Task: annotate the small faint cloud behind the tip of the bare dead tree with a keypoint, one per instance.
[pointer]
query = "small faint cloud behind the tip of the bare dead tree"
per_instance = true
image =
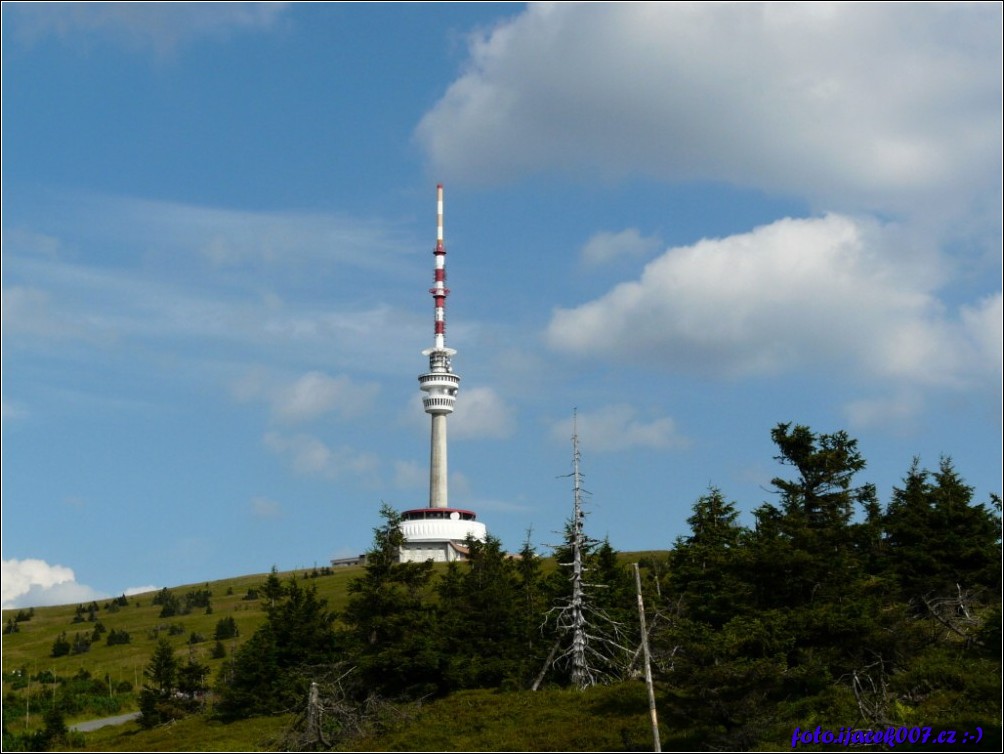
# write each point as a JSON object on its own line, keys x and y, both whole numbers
{"x": 619, "y": 428}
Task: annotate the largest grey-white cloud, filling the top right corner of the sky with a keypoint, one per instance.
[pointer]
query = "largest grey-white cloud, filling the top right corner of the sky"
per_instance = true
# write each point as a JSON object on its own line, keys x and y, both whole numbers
{"x": 853, "y": 105}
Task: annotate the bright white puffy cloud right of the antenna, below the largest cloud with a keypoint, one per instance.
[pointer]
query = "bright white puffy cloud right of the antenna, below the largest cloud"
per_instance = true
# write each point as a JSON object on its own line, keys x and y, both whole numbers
{"x": 826, "y": 294}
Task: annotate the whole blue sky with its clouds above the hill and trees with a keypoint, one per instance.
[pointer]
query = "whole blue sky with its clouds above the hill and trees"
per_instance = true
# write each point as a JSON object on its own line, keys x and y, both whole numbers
{"x": 689, "y": 222}
